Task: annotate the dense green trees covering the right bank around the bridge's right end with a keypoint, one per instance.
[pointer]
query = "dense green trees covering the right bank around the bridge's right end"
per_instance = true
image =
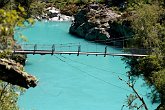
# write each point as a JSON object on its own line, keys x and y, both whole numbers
{"x": 146, "y": 19}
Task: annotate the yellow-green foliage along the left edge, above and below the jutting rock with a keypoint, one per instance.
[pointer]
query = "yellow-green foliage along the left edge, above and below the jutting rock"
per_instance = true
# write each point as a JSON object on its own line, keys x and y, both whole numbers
{"x": 11, "y": 16}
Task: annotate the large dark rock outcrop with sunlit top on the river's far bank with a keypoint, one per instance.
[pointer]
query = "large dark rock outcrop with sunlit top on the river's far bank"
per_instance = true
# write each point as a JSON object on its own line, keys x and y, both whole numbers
{"x": 92, "y": 22}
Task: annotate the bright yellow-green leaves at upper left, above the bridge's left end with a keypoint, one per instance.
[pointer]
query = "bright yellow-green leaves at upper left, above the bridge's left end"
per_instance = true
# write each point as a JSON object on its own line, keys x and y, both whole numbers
{"x": 8, "y": 20}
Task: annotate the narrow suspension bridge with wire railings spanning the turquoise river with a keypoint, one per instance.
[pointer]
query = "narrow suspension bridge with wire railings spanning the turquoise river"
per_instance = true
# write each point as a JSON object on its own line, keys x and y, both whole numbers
{"x": 77, "y": 49}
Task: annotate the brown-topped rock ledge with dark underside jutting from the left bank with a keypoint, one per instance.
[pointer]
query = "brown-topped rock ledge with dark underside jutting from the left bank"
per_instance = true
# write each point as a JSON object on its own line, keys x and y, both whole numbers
{"x": 14, "y": 73}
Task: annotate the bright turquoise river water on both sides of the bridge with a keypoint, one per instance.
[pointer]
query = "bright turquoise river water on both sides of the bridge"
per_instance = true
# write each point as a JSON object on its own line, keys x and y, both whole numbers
{"x": 71, "y": 82}
